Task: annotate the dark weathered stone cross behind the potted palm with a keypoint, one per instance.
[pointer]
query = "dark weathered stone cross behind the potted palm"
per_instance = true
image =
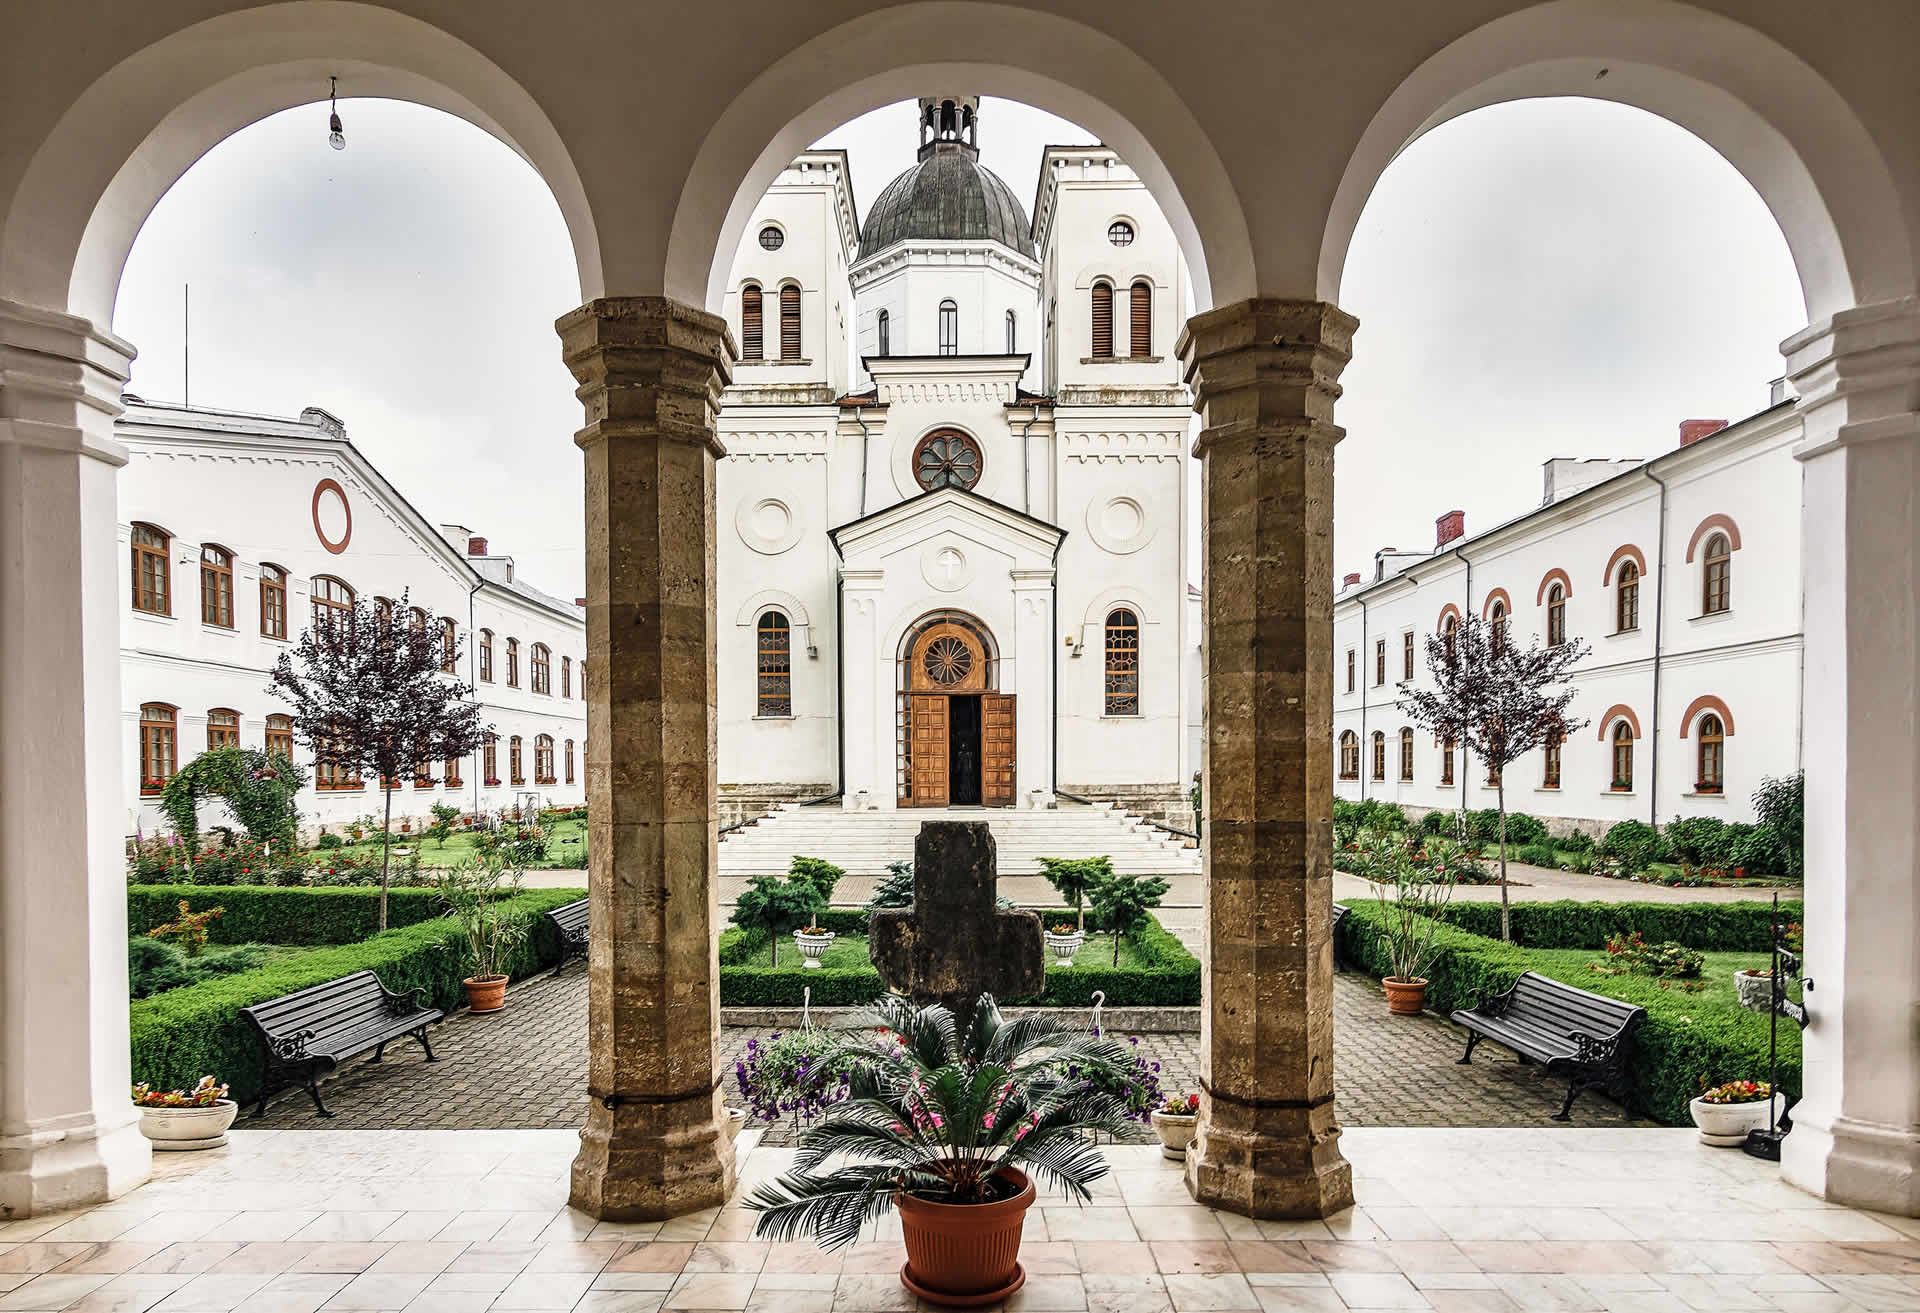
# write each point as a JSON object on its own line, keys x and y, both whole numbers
{"x": 955, "y": 945}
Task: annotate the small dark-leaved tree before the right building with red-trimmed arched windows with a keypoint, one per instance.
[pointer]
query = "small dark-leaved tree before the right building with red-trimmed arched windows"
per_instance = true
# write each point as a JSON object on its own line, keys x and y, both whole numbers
{"x": 1497, "y": 700}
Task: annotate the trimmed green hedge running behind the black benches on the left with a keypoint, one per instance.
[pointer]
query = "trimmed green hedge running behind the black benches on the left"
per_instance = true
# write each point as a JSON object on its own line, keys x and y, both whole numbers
{"x": 187, "y": 1034}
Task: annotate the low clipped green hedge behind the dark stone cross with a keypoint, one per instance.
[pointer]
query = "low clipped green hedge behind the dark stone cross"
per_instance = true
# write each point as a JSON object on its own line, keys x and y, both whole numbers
{"x": 1174, "y": 980}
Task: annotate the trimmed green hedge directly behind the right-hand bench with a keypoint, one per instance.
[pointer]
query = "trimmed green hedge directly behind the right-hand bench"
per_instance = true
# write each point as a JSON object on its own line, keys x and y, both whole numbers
{"x": 1687, "y": 1043}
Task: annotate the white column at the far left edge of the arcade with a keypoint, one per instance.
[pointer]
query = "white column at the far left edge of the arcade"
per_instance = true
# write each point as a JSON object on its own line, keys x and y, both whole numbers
{"x": 68, "y": 1132}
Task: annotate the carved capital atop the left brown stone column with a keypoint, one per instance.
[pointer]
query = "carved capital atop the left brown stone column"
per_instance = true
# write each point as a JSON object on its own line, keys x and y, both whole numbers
{"x": 648, "y": 368}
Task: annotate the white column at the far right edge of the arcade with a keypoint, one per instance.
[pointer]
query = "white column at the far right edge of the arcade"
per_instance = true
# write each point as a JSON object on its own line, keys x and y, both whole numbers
{"x": 1858, "y": 1130}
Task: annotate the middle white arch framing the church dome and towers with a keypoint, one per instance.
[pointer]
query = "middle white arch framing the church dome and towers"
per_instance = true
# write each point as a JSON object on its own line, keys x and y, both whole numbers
{"x": 997, "y": 51}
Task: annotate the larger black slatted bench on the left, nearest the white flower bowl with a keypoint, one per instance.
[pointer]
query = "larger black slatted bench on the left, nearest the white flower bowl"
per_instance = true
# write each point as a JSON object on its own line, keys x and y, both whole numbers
{"x": 312, "y": 1032}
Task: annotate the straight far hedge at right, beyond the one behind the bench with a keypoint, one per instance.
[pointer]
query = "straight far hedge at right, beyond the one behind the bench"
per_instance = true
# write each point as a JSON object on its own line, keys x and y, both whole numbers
{"x": 1706, "y": 926}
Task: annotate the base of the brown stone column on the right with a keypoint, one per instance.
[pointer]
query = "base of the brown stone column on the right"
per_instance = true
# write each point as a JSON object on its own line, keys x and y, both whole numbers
{"x": 1270, "y": 1162}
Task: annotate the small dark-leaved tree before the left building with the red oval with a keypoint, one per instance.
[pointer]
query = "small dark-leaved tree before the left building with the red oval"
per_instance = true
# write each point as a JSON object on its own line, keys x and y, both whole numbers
{"x": 372, "y": 696}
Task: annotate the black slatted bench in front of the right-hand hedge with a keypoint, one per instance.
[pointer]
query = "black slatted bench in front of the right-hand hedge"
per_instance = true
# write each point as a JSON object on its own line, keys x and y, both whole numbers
{"x": 1562, "y": 1028}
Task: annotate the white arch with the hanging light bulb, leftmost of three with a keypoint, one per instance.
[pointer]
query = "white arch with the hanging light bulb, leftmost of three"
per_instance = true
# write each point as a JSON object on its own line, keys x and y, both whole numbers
{"x": 137, "y": 130}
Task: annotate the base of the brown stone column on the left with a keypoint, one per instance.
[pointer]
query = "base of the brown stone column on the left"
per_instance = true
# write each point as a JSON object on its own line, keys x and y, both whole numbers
{"x": 646, "y": 1162}
